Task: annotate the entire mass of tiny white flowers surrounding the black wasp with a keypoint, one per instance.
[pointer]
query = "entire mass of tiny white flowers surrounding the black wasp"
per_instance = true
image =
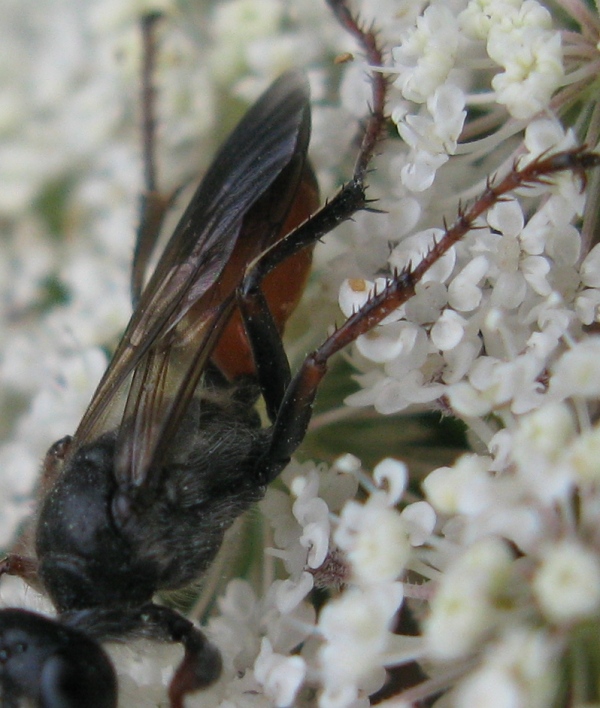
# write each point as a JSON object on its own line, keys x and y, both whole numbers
{"x": 500, "y": 561}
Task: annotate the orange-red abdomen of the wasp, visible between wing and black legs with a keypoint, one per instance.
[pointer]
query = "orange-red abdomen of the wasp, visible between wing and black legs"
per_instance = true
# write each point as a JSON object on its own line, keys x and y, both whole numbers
{"x": 283, "y": 288}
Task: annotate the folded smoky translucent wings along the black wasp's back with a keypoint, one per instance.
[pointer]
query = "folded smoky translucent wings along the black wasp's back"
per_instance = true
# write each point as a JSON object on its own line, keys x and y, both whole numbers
{"x": 240, "y": 203}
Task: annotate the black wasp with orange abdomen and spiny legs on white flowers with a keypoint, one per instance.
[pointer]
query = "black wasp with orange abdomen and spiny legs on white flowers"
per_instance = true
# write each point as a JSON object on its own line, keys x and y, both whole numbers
{"x": 171, "y": 451}
